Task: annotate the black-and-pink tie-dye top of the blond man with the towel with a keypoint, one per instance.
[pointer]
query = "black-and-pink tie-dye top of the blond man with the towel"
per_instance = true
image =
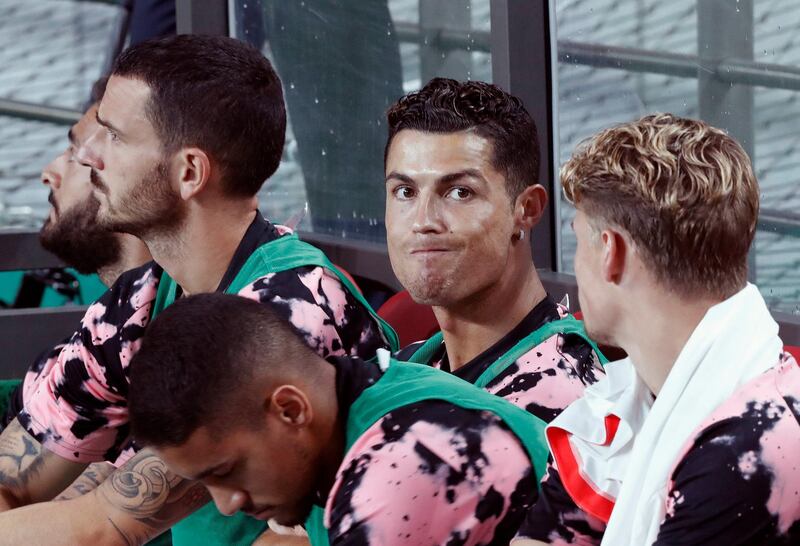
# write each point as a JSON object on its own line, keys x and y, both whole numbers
{"x": 736, "y": 482}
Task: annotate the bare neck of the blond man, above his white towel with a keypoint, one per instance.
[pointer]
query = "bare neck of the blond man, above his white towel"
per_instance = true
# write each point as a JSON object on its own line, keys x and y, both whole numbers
{"x": 657, "y": 331}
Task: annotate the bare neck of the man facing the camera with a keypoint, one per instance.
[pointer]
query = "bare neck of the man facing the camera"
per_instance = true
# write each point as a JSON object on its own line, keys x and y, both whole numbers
{"x": 473, "y": 326}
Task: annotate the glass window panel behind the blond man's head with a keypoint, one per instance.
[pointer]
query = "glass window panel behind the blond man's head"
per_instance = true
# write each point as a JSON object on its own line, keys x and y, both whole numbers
{"x": 619, "y": 60}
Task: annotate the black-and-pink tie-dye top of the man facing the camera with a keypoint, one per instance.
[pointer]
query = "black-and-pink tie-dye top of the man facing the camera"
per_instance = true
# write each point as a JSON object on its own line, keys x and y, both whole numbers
{"x": 543, "y": 381}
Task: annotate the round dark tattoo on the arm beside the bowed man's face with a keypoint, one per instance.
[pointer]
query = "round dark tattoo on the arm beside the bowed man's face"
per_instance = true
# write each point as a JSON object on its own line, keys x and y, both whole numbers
{"x": 147, "y": 498}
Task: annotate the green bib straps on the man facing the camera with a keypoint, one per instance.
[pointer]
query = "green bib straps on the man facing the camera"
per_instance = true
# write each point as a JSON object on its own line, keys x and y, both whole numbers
{"x": 567, "y": 325}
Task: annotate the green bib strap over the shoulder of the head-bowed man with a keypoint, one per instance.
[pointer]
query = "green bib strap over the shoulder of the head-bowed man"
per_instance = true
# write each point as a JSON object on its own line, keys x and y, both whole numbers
{"x": 406, "y": 383}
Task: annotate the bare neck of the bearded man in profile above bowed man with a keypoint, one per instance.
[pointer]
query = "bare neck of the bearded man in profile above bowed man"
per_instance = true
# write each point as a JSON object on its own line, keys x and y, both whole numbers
{"x": 198, "y": 253}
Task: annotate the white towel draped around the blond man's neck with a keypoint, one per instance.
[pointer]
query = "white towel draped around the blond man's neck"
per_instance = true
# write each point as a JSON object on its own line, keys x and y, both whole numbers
{"x": 735, "y": 341}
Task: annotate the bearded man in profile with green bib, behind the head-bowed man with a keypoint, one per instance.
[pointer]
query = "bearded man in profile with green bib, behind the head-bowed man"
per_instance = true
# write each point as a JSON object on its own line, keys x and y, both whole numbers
{"x": 190, "y": 127}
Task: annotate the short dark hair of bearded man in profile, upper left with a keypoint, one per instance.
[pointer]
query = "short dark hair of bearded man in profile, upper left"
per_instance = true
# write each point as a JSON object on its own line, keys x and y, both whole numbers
{"x": 218, "y": 94}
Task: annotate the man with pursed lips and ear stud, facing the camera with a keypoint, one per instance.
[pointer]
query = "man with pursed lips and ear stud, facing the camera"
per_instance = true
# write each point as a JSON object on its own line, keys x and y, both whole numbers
{"x": 462, "y": 165}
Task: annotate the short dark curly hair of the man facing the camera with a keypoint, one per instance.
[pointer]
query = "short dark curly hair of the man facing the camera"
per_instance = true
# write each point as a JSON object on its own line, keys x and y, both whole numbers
{"x": 449, "y": 106}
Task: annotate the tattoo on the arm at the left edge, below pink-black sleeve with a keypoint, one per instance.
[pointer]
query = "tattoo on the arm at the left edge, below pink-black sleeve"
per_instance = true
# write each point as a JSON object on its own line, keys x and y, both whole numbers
{"x": 21, "y": 458}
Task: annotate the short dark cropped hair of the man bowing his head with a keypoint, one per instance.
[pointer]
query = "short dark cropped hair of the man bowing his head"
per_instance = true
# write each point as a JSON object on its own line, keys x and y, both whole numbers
{"x": 199, "y": 360}
